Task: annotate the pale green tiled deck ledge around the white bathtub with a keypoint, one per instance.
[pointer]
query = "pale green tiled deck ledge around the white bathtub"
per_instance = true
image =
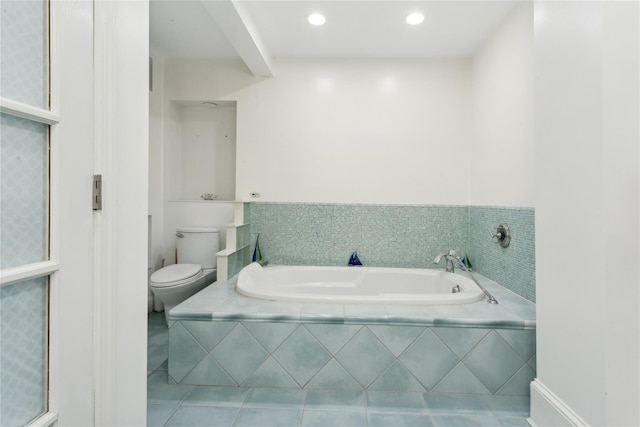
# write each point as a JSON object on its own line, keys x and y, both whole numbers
{"x": 221, "y": 302}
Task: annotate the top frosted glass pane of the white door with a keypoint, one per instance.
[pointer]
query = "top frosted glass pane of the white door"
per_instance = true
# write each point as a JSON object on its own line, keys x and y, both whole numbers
{"x": 24, "y": 52}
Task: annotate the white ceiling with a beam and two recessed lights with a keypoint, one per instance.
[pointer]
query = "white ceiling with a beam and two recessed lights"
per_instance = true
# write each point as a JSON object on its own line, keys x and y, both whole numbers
{"x": 265, "y": 29}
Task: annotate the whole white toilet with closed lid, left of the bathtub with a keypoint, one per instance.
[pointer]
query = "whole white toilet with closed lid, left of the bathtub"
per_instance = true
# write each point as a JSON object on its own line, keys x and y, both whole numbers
{"x": 195, "y": 267}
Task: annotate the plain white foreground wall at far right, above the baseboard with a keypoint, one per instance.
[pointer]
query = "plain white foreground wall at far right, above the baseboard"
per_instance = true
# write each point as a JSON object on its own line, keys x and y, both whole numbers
{"x": 586, "y": 132}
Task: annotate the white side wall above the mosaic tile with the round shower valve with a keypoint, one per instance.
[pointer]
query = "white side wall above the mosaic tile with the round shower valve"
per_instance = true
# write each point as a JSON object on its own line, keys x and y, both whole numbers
{"x": 501, "y": 156}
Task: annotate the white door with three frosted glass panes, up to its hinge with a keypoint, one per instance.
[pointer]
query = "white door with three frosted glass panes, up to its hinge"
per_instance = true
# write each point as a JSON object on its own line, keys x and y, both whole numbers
{"x": 47, "y": 156}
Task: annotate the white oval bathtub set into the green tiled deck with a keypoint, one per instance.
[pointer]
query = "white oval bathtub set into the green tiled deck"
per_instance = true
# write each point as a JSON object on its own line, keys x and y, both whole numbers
{"x": 356, "y": 285}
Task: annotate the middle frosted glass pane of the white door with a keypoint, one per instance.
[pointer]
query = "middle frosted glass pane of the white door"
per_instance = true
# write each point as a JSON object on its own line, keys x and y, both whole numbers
{"x": 23, "y": 191}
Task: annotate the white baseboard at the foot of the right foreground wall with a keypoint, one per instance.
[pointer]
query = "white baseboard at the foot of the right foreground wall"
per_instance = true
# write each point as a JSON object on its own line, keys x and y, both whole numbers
{"x": 547, "y": 409}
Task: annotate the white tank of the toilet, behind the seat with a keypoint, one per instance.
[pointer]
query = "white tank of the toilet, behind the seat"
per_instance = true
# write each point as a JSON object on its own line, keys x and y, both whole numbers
{"x": 197, "y": 245}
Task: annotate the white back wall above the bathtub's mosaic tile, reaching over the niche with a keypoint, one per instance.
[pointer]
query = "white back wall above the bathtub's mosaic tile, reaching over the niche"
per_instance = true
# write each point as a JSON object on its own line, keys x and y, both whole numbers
{"x": 343, "y": 131}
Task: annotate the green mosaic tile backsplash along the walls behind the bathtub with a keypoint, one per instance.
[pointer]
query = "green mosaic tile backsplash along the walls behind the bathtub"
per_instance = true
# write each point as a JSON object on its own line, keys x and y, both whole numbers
{"x": 397, "y": 236}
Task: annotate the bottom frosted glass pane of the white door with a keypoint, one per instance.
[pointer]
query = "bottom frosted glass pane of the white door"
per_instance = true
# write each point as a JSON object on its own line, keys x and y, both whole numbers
{"x": 23, "y": 351}
